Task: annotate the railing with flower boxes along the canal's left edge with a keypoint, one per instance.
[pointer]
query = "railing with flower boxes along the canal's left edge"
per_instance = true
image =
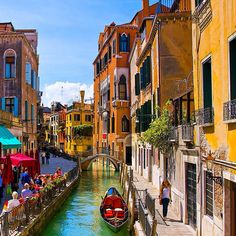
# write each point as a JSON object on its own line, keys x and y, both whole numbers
{"x": 11, "y": 222}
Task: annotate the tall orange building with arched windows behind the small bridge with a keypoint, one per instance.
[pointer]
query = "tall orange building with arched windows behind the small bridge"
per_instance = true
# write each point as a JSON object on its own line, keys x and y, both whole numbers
{"x": 112, "y": 124}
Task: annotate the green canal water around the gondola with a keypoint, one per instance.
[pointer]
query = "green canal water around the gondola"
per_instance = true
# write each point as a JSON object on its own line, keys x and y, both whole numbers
{"x": 80, "y": 215}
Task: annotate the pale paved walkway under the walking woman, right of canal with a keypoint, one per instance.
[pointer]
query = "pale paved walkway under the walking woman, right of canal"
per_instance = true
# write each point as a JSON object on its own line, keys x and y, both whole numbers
{"x": 173, "y": 225}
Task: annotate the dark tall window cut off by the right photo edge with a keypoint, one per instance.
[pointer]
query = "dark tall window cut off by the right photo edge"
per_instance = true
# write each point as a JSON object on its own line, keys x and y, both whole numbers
{"x": 232, "y": 53}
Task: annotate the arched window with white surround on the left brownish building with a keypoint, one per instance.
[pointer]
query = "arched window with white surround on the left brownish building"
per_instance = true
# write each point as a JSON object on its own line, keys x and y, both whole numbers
{"x": 10, "y": 63}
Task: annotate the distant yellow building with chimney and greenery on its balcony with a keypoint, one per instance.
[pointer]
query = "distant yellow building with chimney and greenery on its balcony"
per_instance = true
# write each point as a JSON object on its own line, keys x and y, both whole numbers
{"x": 79, "y": 128}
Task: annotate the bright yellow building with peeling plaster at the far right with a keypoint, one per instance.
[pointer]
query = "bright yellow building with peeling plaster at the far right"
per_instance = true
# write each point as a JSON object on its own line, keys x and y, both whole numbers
{"x": 214, "y": 58}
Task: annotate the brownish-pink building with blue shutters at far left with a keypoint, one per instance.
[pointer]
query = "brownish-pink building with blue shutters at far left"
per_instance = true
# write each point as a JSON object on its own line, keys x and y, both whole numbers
{"x": 19, "y": 81}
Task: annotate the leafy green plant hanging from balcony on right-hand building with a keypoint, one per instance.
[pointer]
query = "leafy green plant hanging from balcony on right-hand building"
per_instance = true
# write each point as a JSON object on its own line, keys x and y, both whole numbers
{"x": 159, "y": 130}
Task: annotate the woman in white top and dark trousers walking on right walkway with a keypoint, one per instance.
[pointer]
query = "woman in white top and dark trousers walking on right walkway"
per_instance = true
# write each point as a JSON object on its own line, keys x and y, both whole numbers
{"x": 165, "y": 196}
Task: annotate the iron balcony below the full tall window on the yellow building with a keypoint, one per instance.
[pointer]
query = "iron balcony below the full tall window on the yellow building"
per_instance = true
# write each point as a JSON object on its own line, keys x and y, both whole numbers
{"x": 205, "y": 116}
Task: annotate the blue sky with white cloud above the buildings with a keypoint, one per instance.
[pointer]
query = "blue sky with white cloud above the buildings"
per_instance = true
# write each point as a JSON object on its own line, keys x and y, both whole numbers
{"x": 68, "y": 32}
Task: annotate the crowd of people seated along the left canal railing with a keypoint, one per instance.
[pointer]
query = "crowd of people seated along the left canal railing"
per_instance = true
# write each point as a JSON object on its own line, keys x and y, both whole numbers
{"x": 28, "y": 187}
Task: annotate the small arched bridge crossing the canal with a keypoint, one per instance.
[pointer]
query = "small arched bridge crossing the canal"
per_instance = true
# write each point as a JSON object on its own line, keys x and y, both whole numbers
{"x": 85, "y": 163}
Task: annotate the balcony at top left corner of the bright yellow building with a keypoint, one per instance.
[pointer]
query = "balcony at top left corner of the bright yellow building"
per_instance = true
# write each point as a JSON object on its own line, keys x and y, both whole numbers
{"x": 202, "y": 14}
